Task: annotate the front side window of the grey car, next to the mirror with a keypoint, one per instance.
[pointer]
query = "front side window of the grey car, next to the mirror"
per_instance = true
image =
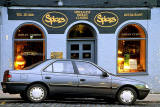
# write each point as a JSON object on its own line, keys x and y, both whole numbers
{"x": 85, "y": 68}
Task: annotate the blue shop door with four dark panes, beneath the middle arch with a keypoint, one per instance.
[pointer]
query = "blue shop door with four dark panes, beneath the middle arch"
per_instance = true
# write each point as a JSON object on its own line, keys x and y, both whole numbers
{"x": 83, "y": 50}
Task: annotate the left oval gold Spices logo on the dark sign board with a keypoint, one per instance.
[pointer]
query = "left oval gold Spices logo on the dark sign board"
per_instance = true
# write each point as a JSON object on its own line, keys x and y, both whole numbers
{"x": 55, "y": 19}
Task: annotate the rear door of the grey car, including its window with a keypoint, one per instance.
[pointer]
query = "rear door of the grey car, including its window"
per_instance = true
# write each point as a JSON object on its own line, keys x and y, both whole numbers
{"x": 61, "y": 77}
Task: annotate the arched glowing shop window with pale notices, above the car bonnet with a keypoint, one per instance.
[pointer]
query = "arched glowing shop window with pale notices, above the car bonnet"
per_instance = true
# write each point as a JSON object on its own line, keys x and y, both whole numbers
{"x": 132, "y": 49}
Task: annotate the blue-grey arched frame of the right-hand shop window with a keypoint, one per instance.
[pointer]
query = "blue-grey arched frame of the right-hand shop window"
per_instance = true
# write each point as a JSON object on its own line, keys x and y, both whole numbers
{"x": 146, "y": 50}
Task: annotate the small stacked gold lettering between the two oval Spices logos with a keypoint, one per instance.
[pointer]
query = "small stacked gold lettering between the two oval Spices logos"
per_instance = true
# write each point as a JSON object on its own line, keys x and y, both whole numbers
{"x": 82, "y": 14}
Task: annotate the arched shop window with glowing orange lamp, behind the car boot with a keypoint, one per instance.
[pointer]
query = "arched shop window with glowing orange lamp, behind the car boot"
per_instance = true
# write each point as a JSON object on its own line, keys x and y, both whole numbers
{"x": 29, "y": 46}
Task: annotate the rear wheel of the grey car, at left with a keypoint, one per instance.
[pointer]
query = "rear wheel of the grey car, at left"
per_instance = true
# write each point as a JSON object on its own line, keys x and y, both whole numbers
{"x": 36, "y": 93}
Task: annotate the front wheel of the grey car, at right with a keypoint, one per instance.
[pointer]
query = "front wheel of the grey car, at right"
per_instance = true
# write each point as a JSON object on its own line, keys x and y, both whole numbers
{"x": 127, "y": 96}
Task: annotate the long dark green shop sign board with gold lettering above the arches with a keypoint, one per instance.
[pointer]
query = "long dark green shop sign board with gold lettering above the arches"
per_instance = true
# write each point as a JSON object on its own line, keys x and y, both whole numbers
{"x": 56, "y": 21}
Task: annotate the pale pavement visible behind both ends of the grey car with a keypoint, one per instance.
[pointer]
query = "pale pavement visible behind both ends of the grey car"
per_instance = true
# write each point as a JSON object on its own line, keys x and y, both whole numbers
{"x": 155, "y": 98}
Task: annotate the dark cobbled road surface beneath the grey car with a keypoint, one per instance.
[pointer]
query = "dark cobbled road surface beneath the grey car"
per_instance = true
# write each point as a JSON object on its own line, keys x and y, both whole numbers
{"x": 71, "y": 103}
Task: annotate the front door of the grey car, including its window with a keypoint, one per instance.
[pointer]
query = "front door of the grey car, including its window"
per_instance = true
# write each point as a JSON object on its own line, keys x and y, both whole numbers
{"x": 91, "y": 80}
